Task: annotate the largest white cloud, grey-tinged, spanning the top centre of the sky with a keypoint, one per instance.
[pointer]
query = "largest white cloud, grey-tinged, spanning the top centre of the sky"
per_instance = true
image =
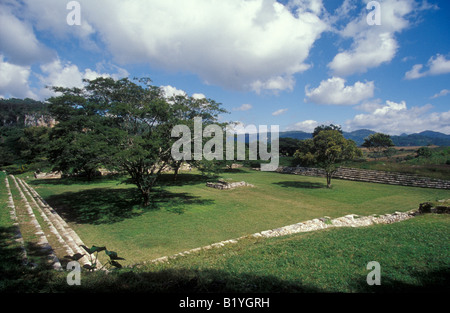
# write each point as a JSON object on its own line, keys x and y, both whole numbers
{"x": 245, "y": 45}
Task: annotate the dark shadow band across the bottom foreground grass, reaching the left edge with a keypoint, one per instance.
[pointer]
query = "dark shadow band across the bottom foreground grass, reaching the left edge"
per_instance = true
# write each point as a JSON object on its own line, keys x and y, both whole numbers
{"x": 20, "y": 279}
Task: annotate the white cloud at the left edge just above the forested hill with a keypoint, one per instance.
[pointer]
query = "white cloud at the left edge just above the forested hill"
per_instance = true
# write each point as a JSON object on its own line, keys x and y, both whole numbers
{"x": 14, "y": 80}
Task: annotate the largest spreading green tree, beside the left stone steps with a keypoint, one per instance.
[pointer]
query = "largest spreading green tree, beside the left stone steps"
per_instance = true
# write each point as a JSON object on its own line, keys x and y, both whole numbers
{"x": 121, "y": 124}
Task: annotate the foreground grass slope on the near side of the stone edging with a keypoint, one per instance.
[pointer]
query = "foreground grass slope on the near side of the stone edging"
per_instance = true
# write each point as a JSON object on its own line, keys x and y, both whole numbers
{"x": 414, "y": 256}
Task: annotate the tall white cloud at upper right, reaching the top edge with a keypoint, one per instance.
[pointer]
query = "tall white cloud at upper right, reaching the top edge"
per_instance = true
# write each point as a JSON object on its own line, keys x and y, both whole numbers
{"x": 373, "y": 45}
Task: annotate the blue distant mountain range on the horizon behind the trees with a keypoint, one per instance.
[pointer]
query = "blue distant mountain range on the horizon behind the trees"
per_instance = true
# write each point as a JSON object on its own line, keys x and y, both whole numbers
{"x": 420, "y": 139}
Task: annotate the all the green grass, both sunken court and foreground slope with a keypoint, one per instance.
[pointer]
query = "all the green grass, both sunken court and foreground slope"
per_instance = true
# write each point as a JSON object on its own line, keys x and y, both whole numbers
{"x": 414, "y": 255}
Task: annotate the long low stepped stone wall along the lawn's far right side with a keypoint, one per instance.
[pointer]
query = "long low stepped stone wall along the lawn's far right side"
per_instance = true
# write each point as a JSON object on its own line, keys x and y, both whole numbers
{"x": 371, "y": 176}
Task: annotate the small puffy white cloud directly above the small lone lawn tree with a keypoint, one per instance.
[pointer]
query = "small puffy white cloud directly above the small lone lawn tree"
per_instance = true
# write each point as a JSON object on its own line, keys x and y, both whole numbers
{"x": 334, "y": 91}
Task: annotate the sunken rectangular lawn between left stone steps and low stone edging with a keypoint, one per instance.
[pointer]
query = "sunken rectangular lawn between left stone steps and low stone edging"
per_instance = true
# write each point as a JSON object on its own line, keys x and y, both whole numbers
{"x": 187, "y": 214}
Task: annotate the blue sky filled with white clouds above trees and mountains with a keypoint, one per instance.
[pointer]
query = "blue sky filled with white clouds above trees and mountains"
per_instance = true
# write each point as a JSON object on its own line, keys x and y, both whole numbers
{"x": 297, "y": 64}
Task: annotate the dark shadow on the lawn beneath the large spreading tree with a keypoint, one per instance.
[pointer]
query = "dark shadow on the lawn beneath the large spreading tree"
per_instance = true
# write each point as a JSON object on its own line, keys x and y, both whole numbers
{"x": 112, "y": 205}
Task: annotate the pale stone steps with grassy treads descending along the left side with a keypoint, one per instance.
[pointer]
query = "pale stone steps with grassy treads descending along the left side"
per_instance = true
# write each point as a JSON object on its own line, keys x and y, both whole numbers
{"x": 55, "y": 238}
